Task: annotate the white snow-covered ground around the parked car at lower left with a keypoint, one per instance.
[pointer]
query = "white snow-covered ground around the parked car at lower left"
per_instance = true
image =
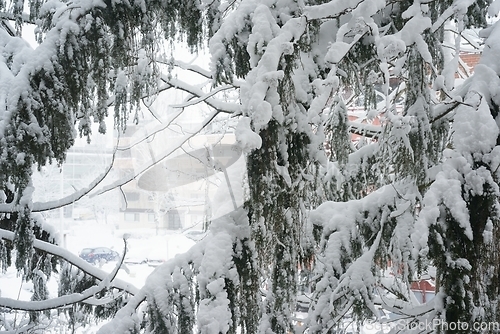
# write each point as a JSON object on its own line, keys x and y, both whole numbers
{"x": 142, "y": 244}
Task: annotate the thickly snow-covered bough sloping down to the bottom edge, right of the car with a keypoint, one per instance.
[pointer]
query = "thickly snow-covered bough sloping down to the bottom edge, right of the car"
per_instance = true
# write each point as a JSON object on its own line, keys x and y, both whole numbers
{"x": 194, "y": 289}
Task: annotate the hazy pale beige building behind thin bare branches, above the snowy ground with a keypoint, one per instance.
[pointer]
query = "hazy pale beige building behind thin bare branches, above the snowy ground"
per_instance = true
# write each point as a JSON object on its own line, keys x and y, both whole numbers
{"x": 175, "y": 181}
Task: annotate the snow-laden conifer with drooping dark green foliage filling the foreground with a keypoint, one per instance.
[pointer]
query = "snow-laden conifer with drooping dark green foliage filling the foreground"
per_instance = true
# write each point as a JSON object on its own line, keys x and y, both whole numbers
{"x": 365, "y": 222}
